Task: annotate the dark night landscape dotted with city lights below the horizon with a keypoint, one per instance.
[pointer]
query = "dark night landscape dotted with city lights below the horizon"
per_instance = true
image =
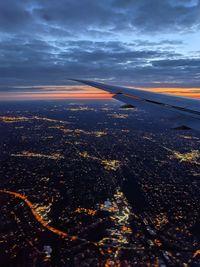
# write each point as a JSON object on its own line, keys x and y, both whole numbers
{"x": 88, "y": 183}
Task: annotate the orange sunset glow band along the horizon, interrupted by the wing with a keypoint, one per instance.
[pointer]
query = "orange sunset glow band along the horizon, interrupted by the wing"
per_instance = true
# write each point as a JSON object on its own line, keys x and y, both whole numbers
{"x": 82, "y": 92}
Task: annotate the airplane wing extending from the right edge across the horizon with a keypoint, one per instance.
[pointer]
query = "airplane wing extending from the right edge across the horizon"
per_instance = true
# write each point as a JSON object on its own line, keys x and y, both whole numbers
{"x": 183, "y": 112}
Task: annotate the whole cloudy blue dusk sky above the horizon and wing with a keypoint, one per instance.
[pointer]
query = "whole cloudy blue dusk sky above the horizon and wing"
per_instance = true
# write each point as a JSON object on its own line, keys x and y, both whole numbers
{"x": 140, "y": 43}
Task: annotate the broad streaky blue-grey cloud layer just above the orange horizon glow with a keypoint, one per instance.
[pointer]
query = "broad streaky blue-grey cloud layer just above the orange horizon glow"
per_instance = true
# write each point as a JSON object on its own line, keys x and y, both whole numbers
{"x": 37, "y": 61}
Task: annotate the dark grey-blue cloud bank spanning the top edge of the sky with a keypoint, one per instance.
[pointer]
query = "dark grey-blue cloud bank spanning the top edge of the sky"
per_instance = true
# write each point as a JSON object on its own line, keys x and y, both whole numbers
{"x": 101, "y": 15}
